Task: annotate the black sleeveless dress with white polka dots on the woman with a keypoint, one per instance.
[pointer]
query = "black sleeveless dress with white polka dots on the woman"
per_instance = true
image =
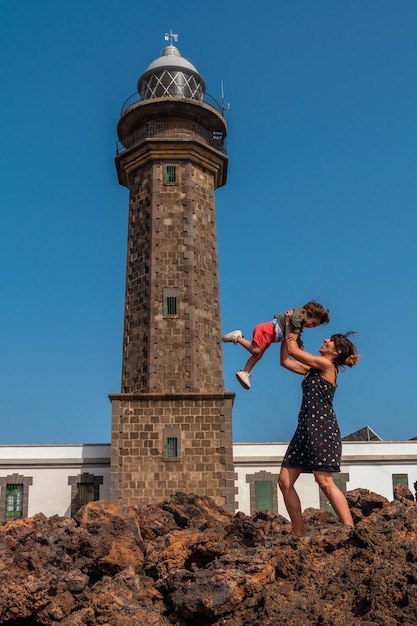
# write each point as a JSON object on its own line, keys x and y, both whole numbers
{"x": 316, "y": 444}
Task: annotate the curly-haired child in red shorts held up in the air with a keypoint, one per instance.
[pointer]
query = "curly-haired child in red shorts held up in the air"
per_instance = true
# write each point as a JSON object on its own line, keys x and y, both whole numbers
{"x": 310, "y": 315}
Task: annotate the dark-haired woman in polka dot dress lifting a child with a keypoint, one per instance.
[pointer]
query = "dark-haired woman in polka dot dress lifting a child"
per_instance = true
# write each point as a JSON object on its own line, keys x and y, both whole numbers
{"x": 316, "y": 445}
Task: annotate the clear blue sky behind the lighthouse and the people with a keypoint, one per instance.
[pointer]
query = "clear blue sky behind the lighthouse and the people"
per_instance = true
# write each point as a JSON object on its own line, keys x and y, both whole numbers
{"x": 320, "y": 202}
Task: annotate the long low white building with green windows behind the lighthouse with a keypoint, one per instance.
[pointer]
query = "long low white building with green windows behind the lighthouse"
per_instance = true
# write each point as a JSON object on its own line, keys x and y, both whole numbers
{"x": 58, "y": 479}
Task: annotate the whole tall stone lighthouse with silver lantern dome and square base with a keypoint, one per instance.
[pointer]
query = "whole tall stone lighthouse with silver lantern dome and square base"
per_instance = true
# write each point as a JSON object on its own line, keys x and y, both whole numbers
{"x": 172, "y": 421}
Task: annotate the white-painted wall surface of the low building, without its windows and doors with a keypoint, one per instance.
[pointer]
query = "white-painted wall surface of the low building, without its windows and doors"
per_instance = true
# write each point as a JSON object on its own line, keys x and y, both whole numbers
{"x": 370, "y": 465}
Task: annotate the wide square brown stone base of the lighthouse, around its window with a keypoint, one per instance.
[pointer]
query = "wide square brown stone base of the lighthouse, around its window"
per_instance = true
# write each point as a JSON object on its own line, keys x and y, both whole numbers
{"x": 140, "y": 470}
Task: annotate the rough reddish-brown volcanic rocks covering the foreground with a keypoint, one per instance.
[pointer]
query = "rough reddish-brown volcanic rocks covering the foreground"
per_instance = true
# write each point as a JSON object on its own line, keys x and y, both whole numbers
{"x": 187, "y": 561}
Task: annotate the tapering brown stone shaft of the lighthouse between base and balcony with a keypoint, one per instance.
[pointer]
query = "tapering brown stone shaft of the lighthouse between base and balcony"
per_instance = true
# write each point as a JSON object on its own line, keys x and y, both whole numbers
{"x": 172, "y": 246}
